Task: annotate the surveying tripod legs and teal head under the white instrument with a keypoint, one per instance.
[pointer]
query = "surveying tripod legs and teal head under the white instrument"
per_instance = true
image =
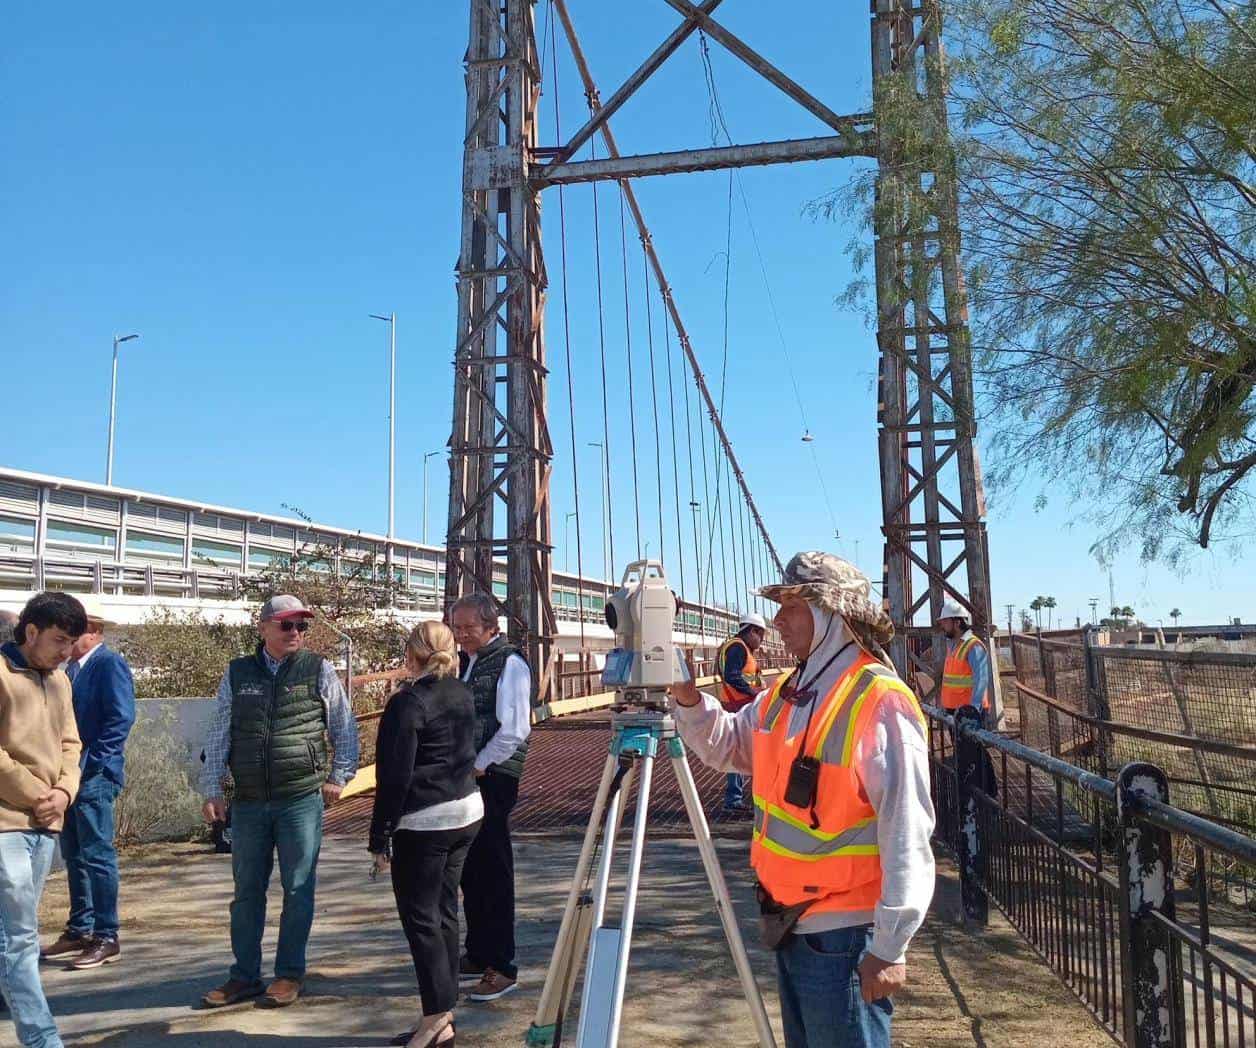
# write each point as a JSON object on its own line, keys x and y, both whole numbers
{"x": 637, "y": 738}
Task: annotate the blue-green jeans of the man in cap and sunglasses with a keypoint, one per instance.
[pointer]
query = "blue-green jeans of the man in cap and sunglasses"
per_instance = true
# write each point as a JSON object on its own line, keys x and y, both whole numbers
{"x": 258, "y": 830}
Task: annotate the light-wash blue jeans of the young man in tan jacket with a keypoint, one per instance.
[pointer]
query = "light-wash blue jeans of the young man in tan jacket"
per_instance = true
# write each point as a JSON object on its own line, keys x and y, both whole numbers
{"x": 26, "y": 858}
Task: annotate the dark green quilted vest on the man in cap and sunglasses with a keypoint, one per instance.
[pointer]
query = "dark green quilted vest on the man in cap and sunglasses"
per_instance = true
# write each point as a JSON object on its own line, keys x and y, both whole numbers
{"x": 278, "y": 728}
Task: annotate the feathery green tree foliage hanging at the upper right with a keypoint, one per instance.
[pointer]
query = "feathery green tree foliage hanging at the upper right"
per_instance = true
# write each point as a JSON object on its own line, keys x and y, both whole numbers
{"x": 1106, "y": 168}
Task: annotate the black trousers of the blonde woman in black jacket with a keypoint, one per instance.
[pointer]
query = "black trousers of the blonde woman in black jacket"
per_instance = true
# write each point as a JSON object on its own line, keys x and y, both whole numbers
{"x": 426, "y": 869}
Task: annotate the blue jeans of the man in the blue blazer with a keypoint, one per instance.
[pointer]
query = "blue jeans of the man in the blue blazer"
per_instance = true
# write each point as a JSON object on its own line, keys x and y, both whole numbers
{"x": 91, "y": 860}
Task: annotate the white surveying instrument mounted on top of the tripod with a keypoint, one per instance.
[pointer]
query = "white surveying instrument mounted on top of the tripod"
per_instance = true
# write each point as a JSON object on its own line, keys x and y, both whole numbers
{"x": 645, "y": 662}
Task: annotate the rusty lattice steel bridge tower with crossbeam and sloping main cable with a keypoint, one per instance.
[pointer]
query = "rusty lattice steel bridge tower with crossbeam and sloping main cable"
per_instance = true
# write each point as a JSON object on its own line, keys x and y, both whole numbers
{"x": 501, "y": 447}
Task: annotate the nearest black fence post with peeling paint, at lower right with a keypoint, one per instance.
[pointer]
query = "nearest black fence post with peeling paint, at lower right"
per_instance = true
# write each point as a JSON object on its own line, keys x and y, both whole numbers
{"x": 1151, "y": 963}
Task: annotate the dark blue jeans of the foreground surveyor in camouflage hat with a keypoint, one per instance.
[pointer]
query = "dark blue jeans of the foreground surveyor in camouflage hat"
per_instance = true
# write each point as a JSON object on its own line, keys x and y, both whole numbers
{"x": 820, "y": 987}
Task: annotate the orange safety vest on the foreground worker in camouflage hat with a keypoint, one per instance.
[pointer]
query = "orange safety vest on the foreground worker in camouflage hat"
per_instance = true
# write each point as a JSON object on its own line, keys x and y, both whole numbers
{"x": 835, "y": 865}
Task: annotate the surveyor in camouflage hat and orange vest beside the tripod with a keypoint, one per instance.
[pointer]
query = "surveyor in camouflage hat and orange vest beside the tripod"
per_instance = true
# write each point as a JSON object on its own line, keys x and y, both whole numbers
{"x": 843, "y": 815}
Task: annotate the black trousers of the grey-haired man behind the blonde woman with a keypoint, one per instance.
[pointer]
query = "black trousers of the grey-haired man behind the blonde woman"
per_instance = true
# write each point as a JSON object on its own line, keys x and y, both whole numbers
{"x": 489, "y": 880}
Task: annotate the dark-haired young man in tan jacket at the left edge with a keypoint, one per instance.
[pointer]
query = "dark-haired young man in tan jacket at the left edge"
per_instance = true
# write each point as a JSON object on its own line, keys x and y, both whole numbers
{"x": 40, "y": 776}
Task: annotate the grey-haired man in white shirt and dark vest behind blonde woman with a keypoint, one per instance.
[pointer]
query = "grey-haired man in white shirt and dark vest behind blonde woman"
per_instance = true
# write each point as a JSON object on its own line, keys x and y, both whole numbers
{"x": 502, "y": 683}
